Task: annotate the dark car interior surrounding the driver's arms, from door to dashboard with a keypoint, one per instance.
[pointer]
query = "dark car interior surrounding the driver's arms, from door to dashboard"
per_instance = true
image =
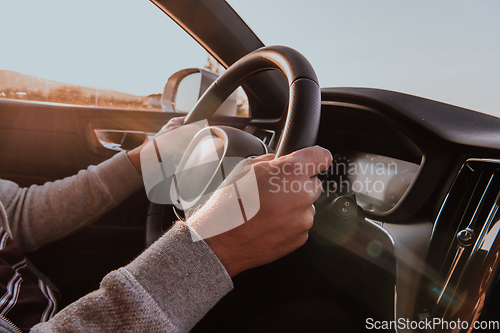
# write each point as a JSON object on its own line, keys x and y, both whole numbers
{"x": 423, "y": 244}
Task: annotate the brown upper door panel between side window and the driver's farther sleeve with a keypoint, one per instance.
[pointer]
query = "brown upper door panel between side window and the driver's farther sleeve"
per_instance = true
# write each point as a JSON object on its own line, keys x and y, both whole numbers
{"x": 43, "y": 141}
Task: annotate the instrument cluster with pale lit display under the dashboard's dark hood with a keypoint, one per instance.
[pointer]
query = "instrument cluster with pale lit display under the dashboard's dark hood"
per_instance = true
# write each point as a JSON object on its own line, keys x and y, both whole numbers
{"x": 373, "y": 159}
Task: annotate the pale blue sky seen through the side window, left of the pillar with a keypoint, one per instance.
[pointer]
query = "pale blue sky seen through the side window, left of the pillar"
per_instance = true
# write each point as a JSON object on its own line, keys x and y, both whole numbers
{"x": 124, "y": 45}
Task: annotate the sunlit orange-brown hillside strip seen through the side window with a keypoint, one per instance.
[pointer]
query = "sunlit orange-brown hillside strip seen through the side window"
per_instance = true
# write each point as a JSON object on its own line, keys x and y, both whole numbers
{"x": 20, "y": 86}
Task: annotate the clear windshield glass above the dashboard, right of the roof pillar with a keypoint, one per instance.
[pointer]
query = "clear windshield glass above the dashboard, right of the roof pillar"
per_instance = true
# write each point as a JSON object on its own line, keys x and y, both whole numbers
{"x": 442, "y": 50}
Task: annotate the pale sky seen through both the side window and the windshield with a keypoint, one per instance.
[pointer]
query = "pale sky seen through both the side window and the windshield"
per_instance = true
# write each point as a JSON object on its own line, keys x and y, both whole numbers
{"x": 443, "y": 50}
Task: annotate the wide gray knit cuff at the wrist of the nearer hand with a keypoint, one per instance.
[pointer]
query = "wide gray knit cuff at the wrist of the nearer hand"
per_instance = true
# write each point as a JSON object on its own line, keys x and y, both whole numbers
{"x": 185, "y": 278}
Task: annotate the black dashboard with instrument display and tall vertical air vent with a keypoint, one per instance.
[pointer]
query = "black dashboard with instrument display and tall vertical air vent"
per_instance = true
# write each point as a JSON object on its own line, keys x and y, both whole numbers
{"x": 431, "y": 182}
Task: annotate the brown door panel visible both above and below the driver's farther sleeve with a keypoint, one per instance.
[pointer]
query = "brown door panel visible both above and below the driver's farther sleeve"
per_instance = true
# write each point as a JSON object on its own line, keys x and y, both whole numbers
{"x": 43, "y": 142}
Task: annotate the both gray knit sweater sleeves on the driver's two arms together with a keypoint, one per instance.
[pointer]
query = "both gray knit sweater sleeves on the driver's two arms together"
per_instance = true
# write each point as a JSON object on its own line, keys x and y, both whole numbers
{"x": 168, "y": 288}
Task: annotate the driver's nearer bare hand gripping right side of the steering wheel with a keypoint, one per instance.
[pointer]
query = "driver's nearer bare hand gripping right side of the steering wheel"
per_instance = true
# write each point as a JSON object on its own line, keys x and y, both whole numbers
{"x": 287, "y": 190}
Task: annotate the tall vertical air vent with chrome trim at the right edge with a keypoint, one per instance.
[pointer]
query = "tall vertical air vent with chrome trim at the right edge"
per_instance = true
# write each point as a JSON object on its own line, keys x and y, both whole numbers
{"x": 462, "y": 255}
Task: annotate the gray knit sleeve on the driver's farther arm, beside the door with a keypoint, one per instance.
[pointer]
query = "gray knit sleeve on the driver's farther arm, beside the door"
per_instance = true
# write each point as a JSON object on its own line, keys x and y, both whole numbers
{"x": 41, "y": 214}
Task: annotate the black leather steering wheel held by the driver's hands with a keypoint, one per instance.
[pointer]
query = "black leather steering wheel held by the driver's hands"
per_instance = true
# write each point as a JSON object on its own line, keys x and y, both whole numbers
{"x": 300, "y": 122}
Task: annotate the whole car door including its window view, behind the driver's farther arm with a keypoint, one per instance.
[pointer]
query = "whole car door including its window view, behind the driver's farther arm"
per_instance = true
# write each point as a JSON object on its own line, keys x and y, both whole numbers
{"x": 56, "y": 119}
